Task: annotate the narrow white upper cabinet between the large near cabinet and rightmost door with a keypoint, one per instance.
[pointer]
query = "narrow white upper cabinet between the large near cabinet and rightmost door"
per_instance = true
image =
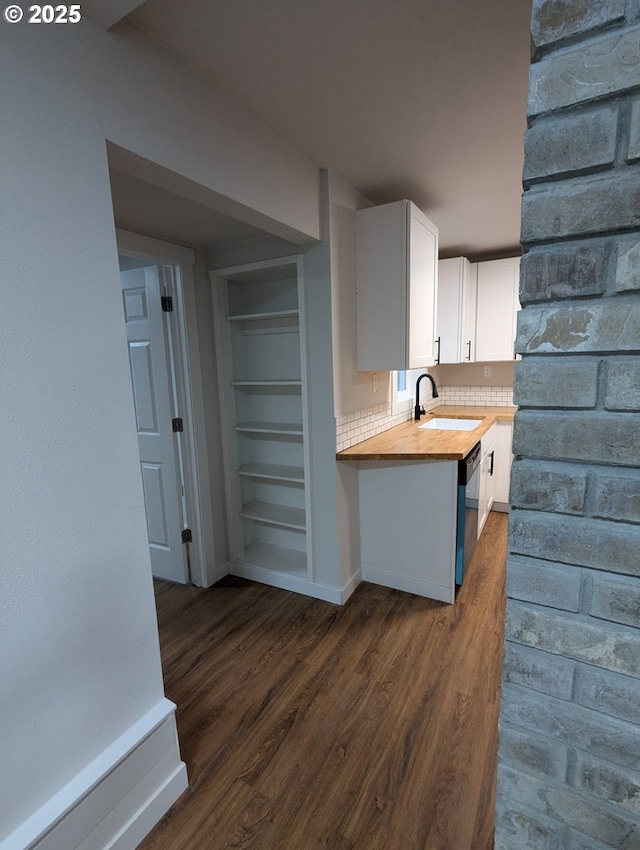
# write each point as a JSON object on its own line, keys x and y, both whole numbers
{"x": 456, "y": 324}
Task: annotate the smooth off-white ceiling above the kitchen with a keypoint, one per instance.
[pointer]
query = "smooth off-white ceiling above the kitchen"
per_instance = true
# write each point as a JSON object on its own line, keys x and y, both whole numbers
{"x": 419, "y": 99}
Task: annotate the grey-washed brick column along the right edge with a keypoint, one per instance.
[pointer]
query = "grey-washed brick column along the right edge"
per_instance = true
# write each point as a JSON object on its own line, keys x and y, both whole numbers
{"x": 569, "y": 758}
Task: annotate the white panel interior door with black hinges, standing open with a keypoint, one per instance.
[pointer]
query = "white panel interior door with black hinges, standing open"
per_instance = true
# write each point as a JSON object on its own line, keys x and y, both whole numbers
{"x": 153, "y": 399}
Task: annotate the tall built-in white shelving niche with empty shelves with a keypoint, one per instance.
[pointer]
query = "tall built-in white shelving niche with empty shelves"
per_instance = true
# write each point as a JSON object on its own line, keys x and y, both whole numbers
{"x": 261, "y": 360}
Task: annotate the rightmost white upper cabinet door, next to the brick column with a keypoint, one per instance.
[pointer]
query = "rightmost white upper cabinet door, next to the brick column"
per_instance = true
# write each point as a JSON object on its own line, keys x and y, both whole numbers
{"x": 497, "y": 306}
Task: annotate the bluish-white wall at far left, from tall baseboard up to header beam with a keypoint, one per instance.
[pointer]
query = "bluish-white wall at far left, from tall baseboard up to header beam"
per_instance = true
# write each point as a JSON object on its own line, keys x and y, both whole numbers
{"x": 78, "y": 621}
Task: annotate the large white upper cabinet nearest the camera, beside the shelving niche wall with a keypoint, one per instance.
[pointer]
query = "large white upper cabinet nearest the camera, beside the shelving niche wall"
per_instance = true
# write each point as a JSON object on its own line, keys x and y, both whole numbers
{"x": 396, "y": 271}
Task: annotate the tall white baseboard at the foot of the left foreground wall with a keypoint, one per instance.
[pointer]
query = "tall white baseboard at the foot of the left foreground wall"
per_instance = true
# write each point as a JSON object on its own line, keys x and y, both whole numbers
{"x": 118, "y": 798}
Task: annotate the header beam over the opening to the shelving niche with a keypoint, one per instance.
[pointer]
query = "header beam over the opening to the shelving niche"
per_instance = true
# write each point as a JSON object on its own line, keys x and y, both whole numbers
{"x": 195, "y": 142}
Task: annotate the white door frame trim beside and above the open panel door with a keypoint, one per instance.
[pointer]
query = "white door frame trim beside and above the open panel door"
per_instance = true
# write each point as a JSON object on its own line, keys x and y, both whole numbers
{"x": 190, "y": 393}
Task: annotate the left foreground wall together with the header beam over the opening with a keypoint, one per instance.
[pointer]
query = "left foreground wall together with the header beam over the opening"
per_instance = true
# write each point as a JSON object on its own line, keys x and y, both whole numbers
{"x": 79, "y": 639}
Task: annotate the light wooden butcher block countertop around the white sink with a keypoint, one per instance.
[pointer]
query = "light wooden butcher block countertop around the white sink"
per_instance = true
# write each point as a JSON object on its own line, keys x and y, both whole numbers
{"x": 408, "y": 442}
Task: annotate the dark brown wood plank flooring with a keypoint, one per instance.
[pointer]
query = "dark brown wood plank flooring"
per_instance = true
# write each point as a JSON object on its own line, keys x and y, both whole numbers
{"x": 371, "y": 726}
